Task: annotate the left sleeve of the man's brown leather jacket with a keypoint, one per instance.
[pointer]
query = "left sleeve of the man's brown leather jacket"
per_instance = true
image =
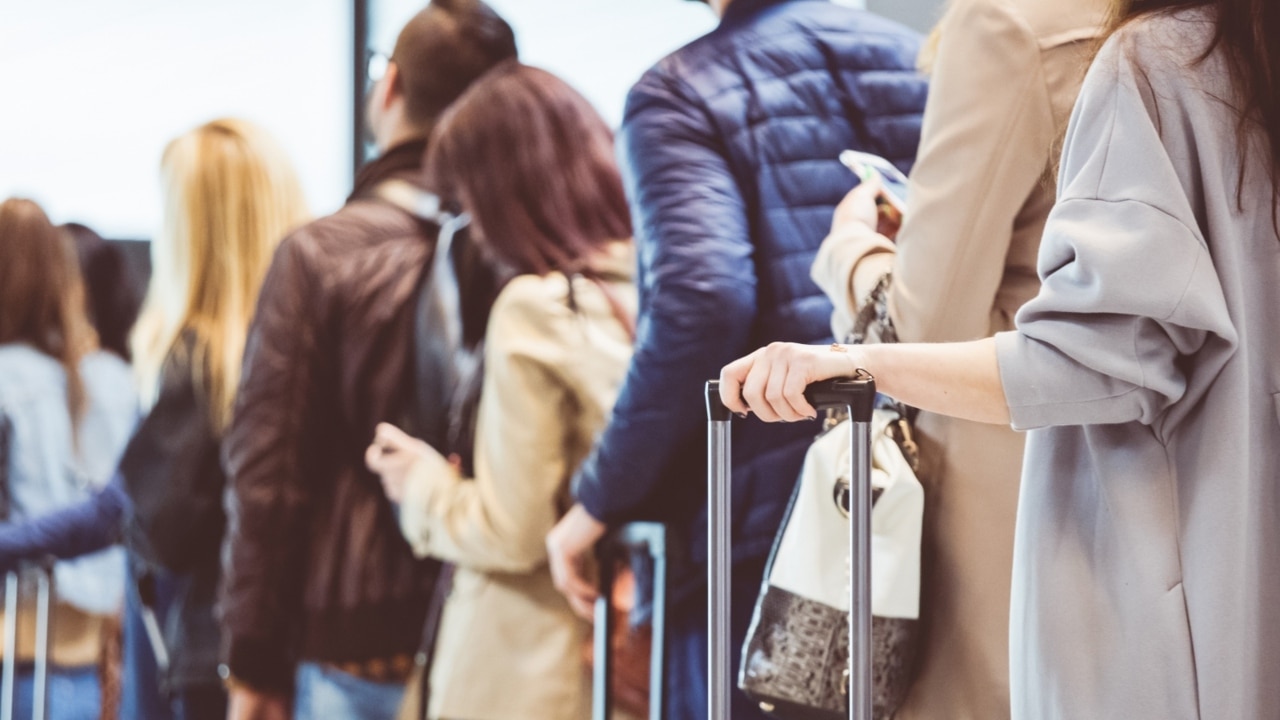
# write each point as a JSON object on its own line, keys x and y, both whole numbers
{"x": 268, "y": 500}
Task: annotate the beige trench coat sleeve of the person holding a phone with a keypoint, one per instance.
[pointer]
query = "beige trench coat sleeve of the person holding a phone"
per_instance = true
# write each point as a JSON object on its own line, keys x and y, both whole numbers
{"x": 989, "y": 131}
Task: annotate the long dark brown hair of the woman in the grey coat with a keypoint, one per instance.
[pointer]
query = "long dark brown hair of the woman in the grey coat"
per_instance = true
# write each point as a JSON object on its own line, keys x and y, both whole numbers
{"x": 1249, "y": 34}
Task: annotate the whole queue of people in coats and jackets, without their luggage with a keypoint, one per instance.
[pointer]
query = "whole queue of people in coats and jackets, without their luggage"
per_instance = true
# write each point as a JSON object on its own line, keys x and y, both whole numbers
{"x": 362, "y": 463}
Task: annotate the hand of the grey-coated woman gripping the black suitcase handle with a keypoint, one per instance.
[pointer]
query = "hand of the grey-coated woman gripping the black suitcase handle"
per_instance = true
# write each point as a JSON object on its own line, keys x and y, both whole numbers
{"x": 771, "y": 382}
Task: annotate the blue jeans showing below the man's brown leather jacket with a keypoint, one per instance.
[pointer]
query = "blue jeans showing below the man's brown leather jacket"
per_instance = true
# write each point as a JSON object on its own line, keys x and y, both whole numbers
{"x": 324, "y": 692}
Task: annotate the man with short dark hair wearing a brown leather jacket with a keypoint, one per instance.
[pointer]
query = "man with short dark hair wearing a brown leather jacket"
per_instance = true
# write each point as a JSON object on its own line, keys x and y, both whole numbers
{"x": 324, "y": 603}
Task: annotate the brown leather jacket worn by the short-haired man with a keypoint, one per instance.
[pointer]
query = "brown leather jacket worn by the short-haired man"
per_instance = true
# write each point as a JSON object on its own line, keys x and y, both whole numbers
{"x": 317, "y": 567}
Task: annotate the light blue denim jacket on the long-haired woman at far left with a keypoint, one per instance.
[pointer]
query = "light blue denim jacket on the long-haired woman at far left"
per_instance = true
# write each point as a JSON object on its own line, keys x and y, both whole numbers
{"x": 49, "y": 467}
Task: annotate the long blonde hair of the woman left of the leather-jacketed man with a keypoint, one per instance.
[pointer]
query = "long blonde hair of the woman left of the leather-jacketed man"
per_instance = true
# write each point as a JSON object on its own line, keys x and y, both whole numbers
{"x": 230, "y": 197}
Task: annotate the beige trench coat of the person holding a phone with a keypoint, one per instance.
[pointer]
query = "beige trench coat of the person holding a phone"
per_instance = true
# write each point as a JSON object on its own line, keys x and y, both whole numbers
{"x": 1005, "y": 79}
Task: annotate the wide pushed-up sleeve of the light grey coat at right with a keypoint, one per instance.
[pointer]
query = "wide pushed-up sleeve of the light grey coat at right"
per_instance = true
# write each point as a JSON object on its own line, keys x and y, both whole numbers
{"x": 1130, "y": 288}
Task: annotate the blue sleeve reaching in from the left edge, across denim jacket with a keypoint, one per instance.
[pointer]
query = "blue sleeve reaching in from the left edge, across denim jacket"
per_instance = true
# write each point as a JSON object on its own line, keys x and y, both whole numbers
{"x": 72, "y": 532}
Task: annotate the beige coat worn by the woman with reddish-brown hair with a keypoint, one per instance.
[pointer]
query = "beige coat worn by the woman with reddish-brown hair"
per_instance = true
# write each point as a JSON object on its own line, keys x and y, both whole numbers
{"x": 510, "y": 646}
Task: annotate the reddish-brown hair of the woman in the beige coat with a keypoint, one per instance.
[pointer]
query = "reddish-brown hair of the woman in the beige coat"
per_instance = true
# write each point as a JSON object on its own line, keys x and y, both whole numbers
{"x": 533, "y": 163}
